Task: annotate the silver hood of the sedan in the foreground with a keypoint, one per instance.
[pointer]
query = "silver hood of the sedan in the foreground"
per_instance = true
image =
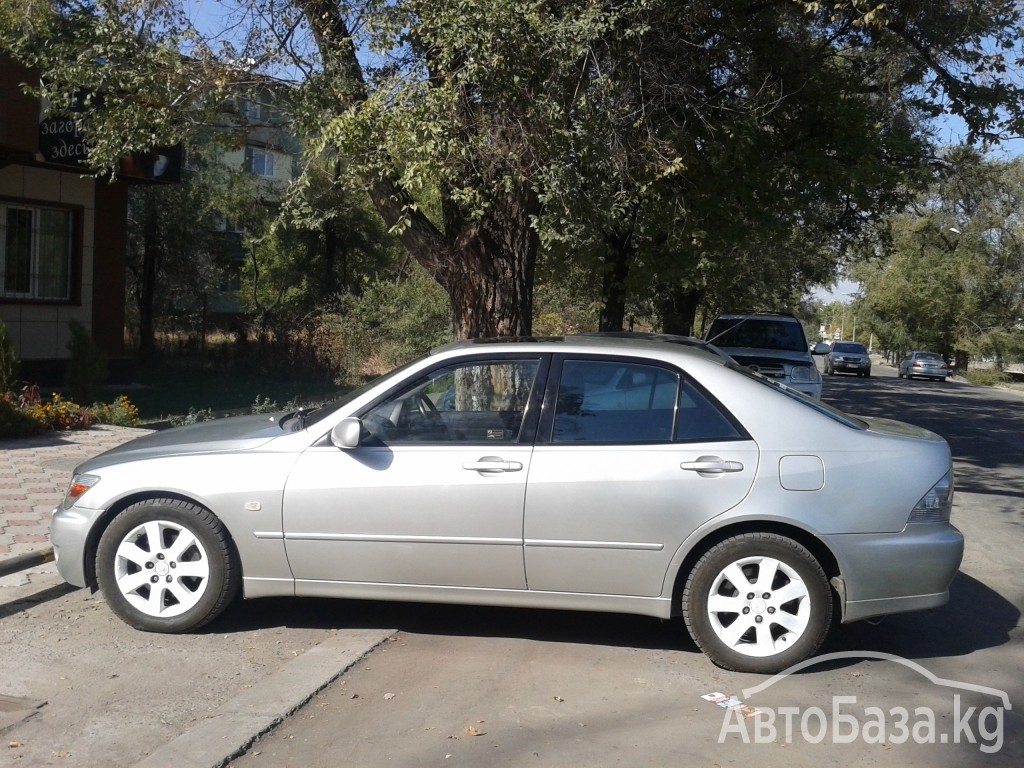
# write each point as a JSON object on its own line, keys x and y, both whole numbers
{"x": 236, "y": 434}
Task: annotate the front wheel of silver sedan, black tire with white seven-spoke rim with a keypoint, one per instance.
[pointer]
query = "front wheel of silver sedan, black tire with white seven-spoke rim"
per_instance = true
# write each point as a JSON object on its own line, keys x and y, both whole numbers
{"x": 194, "y": 568}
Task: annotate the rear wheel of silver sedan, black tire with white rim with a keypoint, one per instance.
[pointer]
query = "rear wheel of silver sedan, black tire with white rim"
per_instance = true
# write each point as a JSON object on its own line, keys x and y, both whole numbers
{"x": 790, "y": 624}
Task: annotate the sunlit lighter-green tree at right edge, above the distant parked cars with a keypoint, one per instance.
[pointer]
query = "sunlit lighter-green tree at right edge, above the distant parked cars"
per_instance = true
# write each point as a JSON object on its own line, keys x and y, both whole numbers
{"x": 952, "y": 278}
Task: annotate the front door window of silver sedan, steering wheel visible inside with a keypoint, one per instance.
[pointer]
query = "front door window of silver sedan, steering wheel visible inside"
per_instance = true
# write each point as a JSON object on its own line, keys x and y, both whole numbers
{"x": 483, "y": 402}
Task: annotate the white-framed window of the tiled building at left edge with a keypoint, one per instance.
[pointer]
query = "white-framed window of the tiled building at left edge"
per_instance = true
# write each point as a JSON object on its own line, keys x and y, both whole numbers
{"x": 35, "y": 252}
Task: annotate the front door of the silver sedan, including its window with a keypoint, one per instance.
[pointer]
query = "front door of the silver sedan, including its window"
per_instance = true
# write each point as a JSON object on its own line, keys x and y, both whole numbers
{"x": 435, "y": 493}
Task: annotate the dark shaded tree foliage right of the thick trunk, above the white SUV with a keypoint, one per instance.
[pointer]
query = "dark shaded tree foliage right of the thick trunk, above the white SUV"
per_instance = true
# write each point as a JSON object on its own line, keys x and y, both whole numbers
{"x": 792, "y": 127}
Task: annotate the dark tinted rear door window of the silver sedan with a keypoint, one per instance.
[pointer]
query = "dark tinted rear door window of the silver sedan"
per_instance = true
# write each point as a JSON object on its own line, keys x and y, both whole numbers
{"x": 629, "y": 403}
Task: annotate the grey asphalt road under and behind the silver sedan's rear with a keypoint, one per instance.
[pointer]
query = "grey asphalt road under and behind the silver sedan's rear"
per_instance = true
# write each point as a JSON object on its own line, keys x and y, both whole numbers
{"x": 475, "y": 687}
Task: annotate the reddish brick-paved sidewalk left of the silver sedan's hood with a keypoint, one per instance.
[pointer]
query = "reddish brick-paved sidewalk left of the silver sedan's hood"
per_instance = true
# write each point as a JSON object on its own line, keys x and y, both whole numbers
{"x": 34, "y": 475}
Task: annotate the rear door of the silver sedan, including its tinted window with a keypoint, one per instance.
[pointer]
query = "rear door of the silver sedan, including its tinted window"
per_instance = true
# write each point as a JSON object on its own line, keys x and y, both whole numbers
{"x": 632, "y": 456}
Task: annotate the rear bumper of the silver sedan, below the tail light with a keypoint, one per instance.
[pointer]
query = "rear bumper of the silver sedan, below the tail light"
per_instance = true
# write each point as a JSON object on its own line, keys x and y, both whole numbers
{"x": 897, "y": 573}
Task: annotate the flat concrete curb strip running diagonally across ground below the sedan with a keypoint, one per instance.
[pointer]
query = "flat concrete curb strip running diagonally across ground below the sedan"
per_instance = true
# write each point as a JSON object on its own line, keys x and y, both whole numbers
{"x": 236, "y": 727}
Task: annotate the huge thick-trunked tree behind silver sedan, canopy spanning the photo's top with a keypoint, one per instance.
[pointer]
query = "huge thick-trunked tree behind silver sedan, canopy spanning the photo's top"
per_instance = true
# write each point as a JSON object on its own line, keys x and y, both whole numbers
{"x": 479, "y": 125}
